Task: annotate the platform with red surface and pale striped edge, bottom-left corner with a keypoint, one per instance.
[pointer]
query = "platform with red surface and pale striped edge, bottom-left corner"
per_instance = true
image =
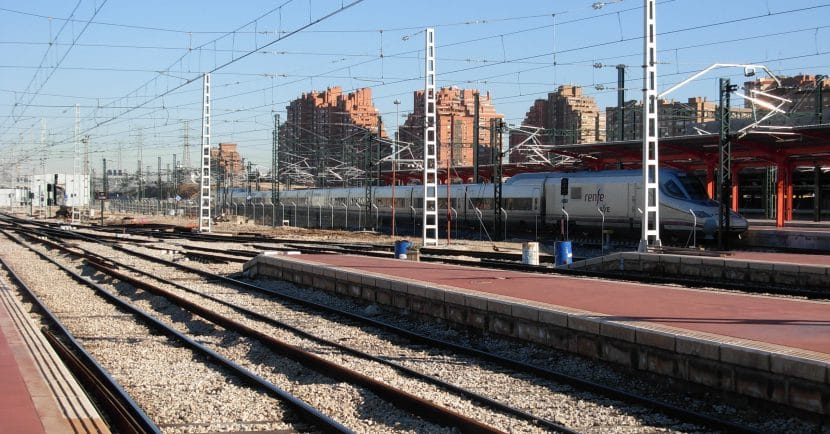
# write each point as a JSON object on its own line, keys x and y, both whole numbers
{"x": 37, "y": 393}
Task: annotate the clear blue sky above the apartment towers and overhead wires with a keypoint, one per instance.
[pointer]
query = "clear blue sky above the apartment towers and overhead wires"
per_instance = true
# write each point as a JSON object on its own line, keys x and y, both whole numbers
{"x": 130, "y": 64}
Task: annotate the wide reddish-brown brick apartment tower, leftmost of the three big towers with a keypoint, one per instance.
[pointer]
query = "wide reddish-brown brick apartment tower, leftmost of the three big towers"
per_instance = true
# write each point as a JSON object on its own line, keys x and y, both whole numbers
{"x": 324, "y": 130}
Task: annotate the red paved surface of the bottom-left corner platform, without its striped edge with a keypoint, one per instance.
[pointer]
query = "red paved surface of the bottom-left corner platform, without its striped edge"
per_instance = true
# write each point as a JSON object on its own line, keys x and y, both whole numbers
{"x": 17, "y": 409}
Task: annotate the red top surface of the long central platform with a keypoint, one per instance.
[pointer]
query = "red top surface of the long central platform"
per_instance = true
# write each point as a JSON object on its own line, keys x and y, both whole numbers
{"x": 789, "y": 322}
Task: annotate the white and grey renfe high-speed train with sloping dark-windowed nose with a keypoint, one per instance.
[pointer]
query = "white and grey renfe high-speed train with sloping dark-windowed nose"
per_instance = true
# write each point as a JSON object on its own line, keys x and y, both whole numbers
{"x": 530, "y": 202}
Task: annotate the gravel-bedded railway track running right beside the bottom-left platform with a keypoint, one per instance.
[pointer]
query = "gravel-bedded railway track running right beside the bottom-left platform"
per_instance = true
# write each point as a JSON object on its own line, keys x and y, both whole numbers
{"x": 131, "y": 335}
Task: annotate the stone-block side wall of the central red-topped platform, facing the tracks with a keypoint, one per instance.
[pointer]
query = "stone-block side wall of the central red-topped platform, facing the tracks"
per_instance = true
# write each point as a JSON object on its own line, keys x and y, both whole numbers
{"x": 782, "y": 375}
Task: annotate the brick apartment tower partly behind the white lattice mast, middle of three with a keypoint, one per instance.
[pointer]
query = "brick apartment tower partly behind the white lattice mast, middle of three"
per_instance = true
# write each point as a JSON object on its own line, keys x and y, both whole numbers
{"x": 454, "y": 115}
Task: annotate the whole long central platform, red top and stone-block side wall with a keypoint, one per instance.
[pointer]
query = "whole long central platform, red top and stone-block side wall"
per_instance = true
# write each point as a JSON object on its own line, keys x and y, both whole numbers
{"x": 770, "y": 348}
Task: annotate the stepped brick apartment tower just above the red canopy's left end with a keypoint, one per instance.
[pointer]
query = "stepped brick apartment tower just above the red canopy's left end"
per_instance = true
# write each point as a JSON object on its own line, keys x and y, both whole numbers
{"x": 570, "y": 117}
